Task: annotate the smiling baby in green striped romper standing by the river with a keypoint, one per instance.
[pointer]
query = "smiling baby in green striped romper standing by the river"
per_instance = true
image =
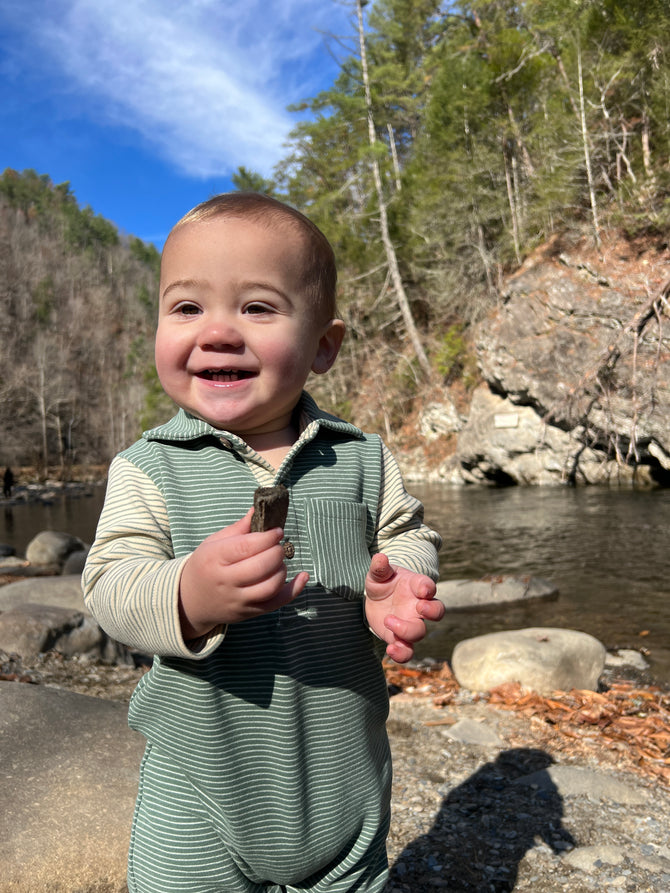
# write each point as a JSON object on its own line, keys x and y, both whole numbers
{"x": 267, "y": 765}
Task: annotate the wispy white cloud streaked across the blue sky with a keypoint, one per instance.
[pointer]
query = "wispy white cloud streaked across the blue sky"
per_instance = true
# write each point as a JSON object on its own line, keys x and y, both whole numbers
{"x": 205, "y": 82}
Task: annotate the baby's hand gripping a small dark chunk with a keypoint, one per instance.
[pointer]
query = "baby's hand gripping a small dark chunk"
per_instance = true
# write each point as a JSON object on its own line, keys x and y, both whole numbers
{"x": 234, "y": 575}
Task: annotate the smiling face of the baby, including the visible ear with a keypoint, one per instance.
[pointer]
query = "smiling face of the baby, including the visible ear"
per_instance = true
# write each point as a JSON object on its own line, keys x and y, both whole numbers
{"x": 236, "y": 335}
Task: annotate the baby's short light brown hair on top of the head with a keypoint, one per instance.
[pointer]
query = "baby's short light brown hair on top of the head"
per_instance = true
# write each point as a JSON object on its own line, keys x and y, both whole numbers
{"x": 320, "y": 271}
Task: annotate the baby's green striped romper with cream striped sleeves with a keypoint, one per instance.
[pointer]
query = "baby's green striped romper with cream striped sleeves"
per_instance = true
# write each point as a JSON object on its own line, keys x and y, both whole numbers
{"x": 267, "y": 764}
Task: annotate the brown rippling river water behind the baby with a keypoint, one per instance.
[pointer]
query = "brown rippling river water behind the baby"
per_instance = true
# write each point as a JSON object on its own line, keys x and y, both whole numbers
{"x": 606, "y": 550}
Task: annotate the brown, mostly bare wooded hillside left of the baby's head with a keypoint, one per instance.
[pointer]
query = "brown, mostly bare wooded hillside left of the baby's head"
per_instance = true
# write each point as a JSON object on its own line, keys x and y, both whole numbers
{"x": 76, "y": 329}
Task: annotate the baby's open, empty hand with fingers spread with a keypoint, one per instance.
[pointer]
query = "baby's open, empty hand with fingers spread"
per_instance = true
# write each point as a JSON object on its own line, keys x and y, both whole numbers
{"x": 398, "y": 601}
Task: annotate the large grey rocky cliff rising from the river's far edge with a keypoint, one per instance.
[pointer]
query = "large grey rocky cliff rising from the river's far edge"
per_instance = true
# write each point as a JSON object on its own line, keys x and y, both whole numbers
{"x": 576, "y": 372}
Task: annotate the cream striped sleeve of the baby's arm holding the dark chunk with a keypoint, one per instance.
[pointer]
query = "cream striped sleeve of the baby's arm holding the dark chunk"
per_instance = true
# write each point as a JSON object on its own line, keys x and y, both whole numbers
{"x": 131, "y": 578}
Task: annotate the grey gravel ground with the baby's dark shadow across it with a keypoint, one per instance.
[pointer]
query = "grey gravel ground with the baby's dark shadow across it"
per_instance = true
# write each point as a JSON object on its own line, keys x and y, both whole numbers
{"x": 463, "y": 822}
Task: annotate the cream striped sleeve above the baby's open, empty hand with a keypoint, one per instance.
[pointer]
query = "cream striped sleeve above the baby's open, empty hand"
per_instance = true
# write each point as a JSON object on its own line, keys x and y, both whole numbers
{"x": 401, "y": 534}
